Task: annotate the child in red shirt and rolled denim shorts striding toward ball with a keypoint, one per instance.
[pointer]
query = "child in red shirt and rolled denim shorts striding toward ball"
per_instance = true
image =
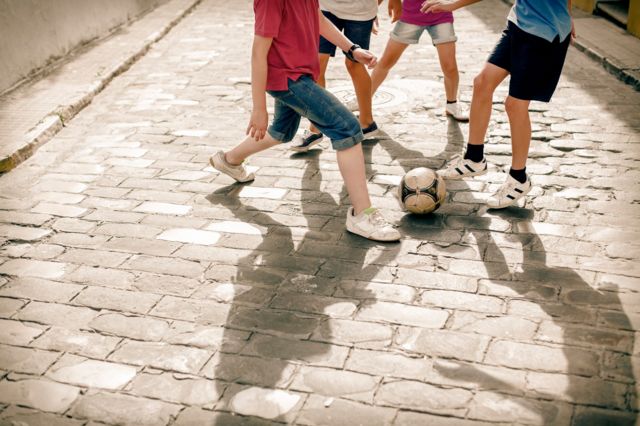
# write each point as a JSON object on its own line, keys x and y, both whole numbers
{"x": 284, "y": 63}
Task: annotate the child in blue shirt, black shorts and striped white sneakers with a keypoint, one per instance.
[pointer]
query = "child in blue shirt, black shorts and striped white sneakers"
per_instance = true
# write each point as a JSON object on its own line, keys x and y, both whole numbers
{"x": 532, "y": 50}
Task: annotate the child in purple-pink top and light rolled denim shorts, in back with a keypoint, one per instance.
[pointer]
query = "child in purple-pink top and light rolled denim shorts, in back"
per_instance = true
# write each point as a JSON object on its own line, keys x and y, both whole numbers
{"x": 407, "y": 31}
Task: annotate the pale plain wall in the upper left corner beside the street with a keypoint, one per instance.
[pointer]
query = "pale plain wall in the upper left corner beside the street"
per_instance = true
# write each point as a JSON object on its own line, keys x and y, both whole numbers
{"x": 33, "y": 33}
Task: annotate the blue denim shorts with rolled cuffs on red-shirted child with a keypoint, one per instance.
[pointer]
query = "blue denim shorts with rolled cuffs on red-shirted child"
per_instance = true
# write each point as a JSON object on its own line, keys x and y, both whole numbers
{"x": 306, "y": 99}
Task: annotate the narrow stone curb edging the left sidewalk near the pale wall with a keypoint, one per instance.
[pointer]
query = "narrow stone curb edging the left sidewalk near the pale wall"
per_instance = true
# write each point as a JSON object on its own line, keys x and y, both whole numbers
{"x": 54, "y": 121}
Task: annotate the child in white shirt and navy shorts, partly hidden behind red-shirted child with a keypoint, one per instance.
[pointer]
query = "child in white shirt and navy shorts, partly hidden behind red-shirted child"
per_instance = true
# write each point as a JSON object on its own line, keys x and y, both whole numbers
{"x": 356, "y": 20}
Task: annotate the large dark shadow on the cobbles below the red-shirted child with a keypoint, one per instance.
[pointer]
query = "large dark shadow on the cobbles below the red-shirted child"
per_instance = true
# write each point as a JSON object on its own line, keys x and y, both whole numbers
{"x": 292, "y": 291}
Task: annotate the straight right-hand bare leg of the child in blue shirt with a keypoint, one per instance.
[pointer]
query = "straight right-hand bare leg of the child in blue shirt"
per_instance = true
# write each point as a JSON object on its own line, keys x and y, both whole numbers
{"x": 520, "y": 124}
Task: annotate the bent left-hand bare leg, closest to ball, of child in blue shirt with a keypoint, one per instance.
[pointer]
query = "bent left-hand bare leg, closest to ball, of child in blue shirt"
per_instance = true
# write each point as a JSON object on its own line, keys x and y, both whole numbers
{"x": 484, "y": 85}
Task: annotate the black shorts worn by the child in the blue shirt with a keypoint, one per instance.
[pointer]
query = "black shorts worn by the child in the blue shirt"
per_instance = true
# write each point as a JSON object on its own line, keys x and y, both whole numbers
{"x": 535, "y": 64}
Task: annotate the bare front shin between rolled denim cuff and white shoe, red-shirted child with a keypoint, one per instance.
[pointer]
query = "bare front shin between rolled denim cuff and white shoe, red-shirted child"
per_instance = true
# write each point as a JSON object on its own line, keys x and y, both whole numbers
{"x": 351, "y": 164}
